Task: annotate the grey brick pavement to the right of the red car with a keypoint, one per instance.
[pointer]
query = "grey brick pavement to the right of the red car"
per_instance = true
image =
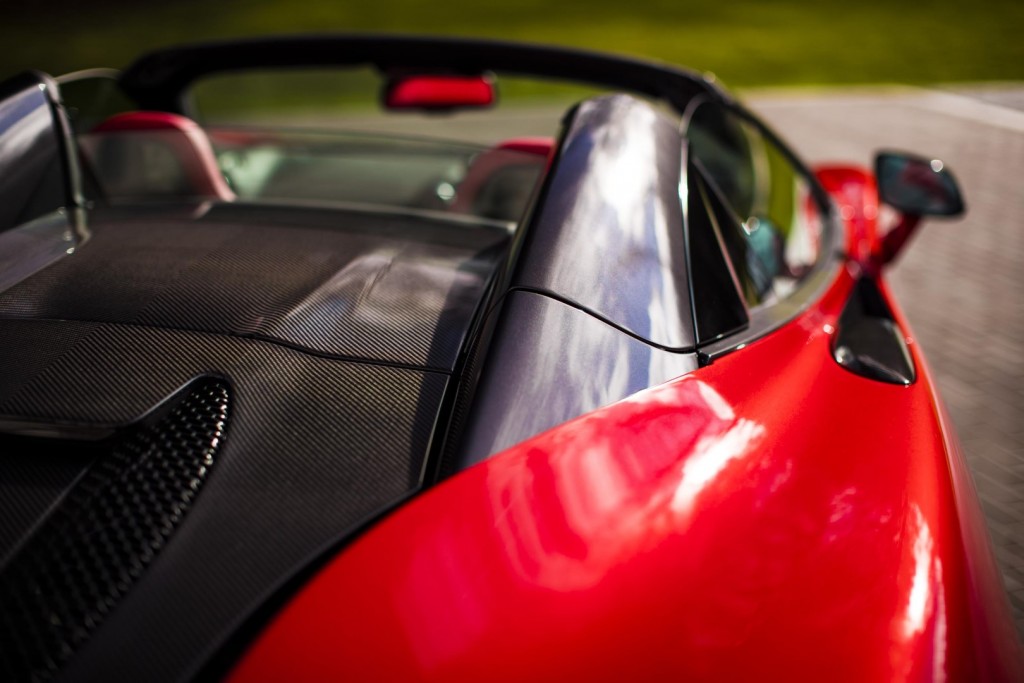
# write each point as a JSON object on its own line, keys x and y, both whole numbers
{"x": 961, "y": 283}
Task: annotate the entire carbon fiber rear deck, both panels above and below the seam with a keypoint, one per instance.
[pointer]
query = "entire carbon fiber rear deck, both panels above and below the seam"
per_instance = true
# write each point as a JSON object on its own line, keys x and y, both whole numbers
{"x": 335, "y": 385}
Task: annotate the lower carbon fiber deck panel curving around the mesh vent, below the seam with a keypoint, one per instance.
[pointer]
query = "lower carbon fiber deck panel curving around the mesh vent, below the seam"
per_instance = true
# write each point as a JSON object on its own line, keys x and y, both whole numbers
{"x": 317, "y": 445}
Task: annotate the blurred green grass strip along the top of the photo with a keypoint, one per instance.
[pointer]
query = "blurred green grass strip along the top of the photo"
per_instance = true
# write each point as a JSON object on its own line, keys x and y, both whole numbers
{"x": 744, "y": 42}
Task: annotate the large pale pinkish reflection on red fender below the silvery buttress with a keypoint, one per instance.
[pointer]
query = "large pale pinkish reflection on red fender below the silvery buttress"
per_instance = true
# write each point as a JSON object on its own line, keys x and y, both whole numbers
{"x": 603, "y": 490}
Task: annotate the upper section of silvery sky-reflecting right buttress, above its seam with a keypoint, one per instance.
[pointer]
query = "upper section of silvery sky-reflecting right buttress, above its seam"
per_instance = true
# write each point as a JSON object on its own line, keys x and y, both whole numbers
{"x": 614, "y": 212}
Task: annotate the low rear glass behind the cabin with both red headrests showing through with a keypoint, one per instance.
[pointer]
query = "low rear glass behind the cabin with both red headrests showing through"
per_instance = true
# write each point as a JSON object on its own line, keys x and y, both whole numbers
{"x": 180, "y": 161}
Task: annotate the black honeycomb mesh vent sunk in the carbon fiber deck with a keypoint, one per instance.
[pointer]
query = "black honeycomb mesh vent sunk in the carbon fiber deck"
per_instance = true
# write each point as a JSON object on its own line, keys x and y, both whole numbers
{"x": 86, "y": 557}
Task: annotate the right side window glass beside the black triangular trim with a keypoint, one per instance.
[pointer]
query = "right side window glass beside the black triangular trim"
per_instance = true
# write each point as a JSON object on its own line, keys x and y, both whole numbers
{"x": 772, "y": 221}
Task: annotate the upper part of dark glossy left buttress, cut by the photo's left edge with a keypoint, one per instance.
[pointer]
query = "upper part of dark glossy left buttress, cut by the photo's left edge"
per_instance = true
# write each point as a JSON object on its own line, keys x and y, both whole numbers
{"x": 32, "y": 174}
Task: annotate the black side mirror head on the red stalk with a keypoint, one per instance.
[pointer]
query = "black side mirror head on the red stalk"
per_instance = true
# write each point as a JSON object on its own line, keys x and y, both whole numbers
{"x": 916, "y": 186}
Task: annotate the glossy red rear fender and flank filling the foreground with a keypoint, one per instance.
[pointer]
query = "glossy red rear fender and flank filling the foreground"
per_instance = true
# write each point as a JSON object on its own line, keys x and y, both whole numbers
{"x": 770, "y": 517}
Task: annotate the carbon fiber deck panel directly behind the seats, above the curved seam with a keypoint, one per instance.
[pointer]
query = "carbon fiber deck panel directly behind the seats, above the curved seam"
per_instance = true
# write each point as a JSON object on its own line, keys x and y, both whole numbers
{"x": 374, "y": 287}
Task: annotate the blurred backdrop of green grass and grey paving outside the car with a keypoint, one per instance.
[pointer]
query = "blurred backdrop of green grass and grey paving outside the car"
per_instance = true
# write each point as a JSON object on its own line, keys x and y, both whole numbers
{"x": 937, "y": 77}
